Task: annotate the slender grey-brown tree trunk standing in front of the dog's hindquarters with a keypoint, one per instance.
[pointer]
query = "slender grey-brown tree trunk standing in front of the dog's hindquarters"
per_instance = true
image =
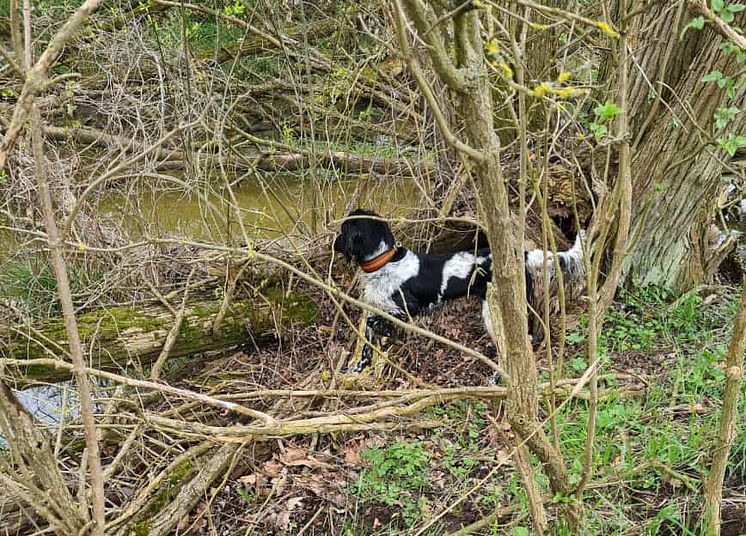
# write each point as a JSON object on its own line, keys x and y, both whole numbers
{"x": 460, "y": 66}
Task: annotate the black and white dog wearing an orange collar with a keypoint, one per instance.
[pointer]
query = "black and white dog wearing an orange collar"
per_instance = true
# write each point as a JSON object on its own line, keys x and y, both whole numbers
{"x": 405, "y": 283}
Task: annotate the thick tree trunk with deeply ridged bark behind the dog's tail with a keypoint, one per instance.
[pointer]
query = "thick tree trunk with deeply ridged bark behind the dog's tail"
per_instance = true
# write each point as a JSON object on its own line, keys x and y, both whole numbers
{"x": 676, "y": 167}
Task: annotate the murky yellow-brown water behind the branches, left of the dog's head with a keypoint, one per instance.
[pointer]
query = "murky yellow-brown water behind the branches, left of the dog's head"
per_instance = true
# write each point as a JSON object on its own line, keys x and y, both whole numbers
{"x": 268, "y": 209}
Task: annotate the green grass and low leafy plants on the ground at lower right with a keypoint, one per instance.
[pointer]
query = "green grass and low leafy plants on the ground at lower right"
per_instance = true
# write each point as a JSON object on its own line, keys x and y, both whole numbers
{"x": 651, "y": 453}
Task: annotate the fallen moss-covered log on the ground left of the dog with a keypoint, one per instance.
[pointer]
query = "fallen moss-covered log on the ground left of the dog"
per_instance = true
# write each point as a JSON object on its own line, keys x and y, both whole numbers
{"x": 120, "y": 338}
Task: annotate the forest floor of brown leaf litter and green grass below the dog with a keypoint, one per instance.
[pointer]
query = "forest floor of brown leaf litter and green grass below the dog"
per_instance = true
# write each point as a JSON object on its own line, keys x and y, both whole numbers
{"x": 661, "y": 381}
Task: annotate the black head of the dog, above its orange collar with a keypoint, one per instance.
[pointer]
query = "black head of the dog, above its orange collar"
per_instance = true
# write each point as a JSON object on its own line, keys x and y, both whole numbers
{"x": 363, "y": 236}
